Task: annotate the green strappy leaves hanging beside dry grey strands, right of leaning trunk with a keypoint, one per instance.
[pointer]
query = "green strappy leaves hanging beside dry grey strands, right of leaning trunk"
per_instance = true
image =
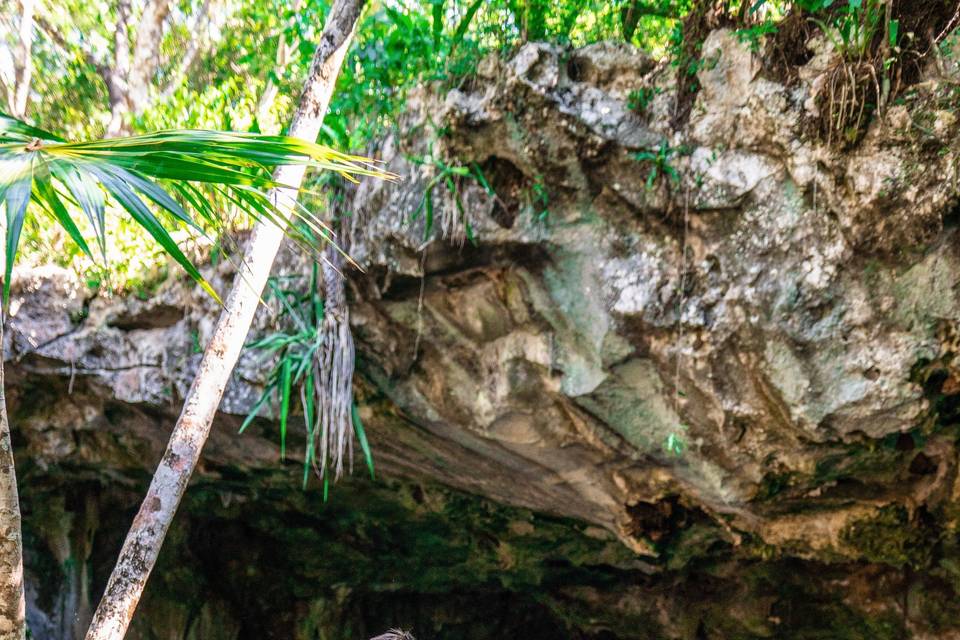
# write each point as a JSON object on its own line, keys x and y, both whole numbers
{"x": 294, "y": 375}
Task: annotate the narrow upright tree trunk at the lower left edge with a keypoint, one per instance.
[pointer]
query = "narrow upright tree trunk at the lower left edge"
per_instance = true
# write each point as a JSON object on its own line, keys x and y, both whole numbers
{"x": 12, "y": 604}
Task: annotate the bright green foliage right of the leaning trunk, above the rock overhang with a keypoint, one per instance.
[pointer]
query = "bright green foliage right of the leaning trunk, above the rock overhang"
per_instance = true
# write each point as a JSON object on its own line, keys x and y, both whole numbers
{"x": 401, "y": 46}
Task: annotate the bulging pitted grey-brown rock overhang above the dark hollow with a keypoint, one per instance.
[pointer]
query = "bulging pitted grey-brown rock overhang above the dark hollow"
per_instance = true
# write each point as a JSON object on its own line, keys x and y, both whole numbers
{"x": 570, "y": 349}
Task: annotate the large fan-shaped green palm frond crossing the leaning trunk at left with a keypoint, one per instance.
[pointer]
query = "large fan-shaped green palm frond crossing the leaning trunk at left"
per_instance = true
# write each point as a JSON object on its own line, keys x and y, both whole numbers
{"x": 148, "y": 173}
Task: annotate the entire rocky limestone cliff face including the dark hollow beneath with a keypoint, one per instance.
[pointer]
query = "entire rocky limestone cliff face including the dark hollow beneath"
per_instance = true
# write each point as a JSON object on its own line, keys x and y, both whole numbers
{"x": 692, "y": 383}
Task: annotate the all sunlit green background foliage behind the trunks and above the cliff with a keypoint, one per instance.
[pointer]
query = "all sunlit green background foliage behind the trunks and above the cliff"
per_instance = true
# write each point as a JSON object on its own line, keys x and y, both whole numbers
{"x": 401, "y": 45}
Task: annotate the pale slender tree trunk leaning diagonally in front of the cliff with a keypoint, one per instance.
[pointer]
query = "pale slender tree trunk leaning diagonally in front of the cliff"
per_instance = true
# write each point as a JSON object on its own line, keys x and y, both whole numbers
{"x": 140, "y": 550}
